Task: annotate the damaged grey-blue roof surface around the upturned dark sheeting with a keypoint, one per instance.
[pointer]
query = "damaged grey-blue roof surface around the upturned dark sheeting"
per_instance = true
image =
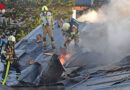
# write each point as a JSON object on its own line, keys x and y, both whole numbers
{"x": 97, "y": 77}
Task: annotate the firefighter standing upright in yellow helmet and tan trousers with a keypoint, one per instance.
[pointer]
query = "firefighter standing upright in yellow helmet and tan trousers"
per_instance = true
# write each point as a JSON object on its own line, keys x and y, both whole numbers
{"x": 47, "y": 22}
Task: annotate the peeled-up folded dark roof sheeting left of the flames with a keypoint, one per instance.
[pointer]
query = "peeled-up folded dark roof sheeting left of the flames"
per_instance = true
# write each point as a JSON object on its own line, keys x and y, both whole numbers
{"x": 42, "y": 73}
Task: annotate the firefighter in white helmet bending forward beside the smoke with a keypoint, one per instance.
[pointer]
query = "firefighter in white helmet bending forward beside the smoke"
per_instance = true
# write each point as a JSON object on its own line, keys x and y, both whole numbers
{"x": 70, "y": 32}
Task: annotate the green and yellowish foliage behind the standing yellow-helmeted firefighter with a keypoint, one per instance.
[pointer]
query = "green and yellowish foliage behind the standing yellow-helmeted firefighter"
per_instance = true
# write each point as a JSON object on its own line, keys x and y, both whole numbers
{"x": 28, "y": 11}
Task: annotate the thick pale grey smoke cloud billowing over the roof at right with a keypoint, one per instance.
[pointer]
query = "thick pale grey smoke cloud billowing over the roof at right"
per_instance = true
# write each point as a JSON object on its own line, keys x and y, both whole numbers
{"x": 108, "y": 30}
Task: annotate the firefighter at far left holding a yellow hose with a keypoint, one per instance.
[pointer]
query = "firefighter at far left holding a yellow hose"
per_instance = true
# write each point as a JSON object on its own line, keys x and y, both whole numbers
{"x": 8, "y": 58}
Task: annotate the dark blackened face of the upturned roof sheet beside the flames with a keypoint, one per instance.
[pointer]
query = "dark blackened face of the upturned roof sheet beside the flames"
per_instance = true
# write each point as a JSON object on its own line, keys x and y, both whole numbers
{"x": 52, "y": 72}
